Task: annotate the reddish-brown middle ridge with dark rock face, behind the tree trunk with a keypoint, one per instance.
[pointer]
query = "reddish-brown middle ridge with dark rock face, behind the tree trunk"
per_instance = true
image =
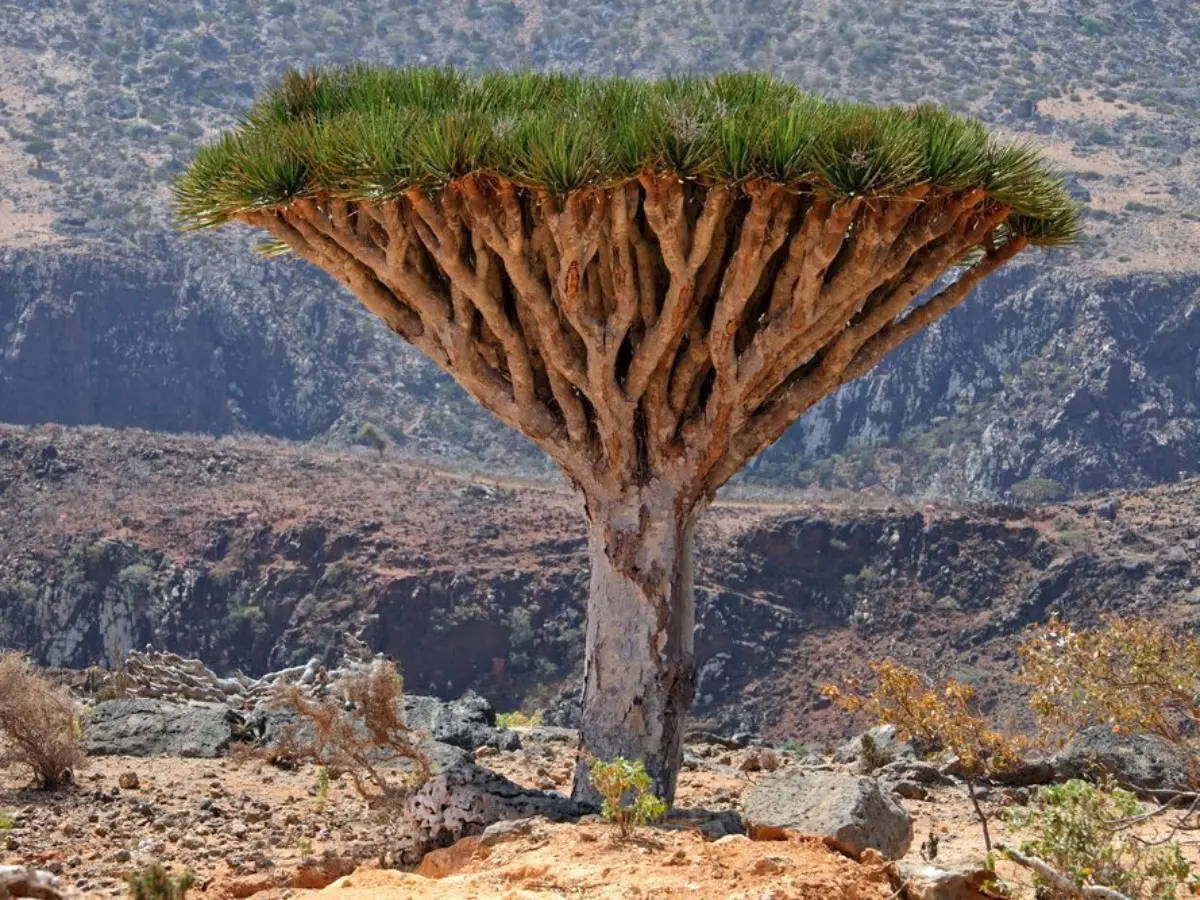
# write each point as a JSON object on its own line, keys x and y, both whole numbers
{"x": 259, "y": 555}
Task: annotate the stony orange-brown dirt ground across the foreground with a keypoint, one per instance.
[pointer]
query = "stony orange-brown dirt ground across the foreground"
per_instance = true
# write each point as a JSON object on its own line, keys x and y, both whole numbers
{"x": 251, "y": 830}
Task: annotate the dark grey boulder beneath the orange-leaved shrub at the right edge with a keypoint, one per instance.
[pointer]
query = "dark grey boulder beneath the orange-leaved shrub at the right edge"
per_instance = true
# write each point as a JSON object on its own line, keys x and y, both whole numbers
{"x": 1139, "y": 760}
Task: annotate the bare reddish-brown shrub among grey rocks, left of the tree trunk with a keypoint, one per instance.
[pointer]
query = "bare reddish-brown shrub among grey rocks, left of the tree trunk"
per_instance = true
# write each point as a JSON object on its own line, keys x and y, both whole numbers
{"x": 359, "y": 730}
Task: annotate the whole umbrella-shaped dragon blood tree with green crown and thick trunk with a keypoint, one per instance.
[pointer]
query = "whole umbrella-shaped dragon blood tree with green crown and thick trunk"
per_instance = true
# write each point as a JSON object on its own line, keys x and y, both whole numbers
{"x": 651, "y": 280}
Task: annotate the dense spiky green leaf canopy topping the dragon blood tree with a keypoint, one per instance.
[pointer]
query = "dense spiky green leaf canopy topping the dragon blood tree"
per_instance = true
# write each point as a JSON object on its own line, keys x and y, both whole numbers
{"x": 371, "y": 134}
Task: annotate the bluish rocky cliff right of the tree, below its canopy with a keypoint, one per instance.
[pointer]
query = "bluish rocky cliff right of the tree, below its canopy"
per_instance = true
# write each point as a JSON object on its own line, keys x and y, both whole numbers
{"x": 1091, "y": 383}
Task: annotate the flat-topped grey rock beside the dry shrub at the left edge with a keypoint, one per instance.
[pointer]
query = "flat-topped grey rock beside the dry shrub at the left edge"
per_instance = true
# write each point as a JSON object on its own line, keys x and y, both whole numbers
{"x": 154, "y": 728}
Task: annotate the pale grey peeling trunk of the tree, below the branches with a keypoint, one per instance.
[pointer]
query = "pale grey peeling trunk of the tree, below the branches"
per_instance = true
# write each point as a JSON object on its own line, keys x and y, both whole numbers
{"x": 640, "y": 670}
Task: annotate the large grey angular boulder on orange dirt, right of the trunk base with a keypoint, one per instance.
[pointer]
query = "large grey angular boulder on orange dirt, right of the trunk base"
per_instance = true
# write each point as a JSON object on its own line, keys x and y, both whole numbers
{"x": 856, "y": 813}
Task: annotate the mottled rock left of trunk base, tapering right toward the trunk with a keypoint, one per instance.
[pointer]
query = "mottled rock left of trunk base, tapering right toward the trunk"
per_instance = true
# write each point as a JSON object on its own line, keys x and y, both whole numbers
{"x": 463, "y": 801}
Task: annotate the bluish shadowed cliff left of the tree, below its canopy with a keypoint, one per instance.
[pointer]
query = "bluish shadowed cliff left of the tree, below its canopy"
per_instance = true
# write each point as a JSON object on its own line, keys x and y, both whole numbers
{"x": 208, "y": 339}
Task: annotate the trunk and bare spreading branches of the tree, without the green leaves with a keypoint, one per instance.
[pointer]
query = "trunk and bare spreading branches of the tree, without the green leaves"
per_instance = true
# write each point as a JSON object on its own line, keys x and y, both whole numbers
{"x": 651, "y": 338}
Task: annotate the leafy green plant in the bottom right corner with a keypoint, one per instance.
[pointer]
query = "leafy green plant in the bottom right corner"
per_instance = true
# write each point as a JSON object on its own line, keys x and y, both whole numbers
{"x": 1082, "y": 832}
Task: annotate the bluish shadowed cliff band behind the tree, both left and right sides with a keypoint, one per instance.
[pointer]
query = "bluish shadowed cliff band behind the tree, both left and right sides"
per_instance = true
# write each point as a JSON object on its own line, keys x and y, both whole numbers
{"x": 1088, "y": 383}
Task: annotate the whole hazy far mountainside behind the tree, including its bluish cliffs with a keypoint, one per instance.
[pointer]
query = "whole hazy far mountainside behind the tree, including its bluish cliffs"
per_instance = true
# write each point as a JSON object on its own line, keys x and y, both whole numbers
{"x": 1069, "y": 374}
